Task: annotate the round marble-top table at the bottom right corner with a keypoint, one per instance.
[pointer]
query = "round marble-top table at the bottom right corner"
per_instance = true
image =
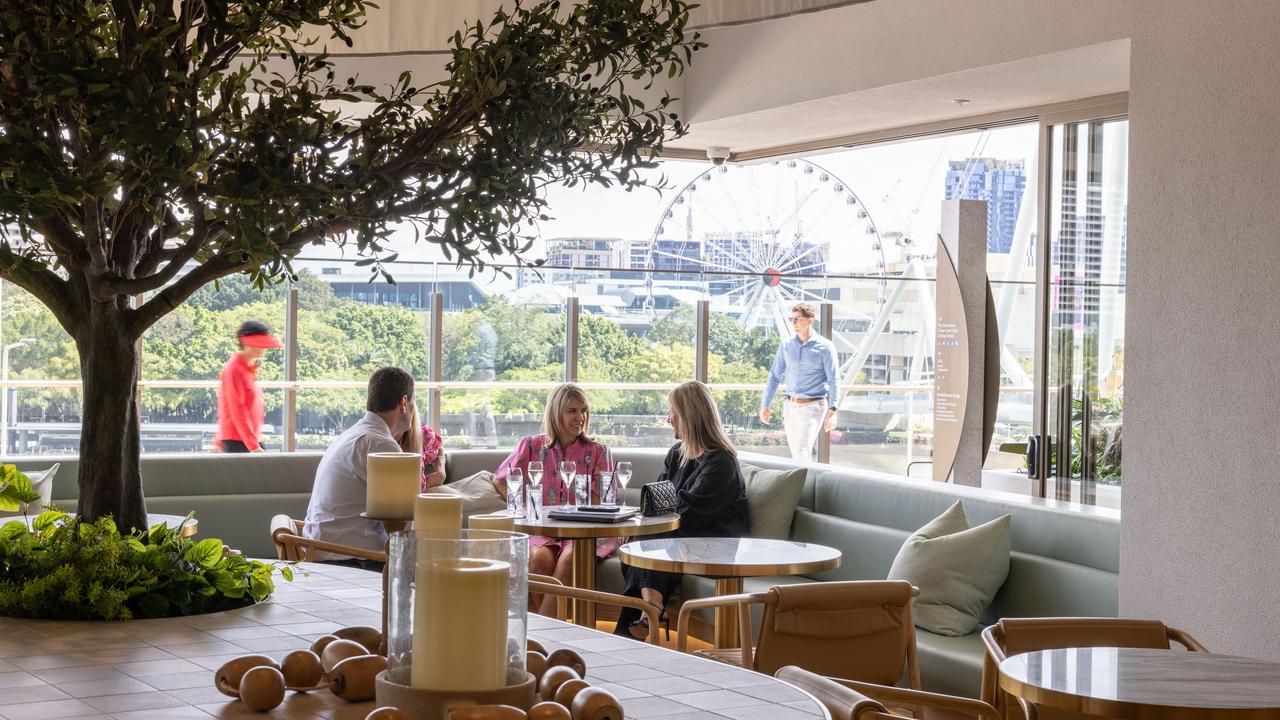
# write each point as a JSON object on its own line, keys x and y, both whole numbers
{"x": 1145, "y": 685}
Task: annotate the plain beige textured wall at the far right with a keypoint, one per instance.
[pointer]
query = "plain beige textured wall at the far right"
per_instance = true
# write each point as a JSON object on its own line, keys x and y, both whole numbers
{"x": 1201, "y": 531}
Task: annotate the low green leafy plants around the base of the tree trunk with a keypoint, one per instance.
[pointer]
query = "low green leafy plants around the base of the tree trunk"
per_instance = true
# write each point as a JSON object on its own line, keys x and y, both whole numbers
{"x": 66, "y": 569}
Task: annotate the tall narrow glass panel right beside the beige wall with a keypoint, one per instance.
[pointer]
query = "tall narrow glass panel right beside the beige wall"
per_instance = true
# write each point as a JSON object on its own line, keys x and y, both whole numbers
{"x": 1087, "y": 274}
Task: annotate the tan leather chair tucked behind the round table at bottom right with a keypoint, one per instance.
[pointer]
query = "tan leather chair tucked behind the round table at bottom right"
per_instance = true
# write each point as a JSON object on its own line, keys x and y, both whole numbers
{"x": 1013, "y": 636}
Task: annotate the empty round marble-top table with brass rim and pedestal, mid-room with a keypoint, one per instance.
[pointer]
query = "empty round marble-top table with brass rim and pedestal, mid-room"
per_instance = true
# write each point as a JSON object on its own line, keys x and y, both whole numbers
{"x": 729, "y": 560}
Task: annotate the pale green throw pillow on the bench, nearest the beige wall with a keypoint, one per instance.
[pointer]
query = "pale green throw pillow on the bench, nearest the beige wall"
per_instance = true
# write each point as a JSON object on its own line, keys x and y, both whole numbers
{"x": 959, "y": 569}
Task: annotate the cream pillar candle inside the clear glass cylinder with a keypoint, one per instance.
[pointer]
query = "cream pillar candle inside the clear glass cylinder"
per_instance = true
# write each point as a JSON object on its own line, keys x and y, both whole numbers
{"x": 460, "y": 625}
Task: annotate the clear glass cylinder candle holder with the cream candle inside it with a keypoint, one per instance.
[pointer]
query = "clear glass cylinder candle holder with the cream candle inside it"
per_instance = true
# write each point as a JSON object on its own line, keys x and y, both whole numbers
{"x": 458, "y": 609}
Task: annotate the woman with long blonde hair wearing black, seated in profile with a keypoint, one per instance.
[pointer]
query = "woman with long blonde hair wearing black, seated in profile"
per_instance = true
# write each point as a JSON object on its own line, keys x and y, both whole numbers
{"x": 711, "y": 495}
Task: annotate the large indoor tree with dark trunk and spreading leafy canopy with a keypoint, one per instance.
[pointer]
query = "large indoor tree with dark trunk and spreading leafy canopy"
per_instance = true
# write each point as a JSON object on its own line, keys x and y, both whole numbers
{"x": 149, "y": 148}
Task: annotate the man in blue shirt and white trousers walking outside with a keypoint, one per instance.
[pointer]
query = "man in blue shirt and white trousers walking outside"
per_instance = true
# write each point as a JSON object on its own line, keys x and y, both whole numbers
{"x": 807, "y": 364}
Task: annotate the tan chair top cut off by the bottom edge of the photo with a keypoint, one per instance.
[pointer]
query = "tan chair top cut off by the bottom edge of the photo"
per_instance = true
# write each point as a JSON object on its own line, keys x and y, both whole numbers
{"x": 849, "y": 700}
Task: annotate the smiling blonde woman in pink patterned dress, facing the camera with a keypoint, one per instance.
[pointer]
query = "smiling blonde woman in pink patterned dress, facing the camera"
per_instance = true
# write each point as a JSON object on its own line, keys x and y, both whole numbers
{"x": 564, "y": 438}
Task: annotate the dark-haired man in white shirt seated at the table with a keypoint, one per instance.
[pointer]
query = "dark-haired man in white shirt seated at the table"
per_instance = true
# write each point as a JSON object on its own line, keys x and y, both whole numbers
{"x": 339, "y": 496}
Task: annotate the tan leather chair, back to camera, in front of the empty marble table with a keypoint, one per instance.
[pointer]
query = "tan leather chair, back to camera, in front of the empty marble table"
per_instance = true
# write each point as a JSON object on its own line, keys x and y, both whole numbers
{"x": 849, "y": 630}
